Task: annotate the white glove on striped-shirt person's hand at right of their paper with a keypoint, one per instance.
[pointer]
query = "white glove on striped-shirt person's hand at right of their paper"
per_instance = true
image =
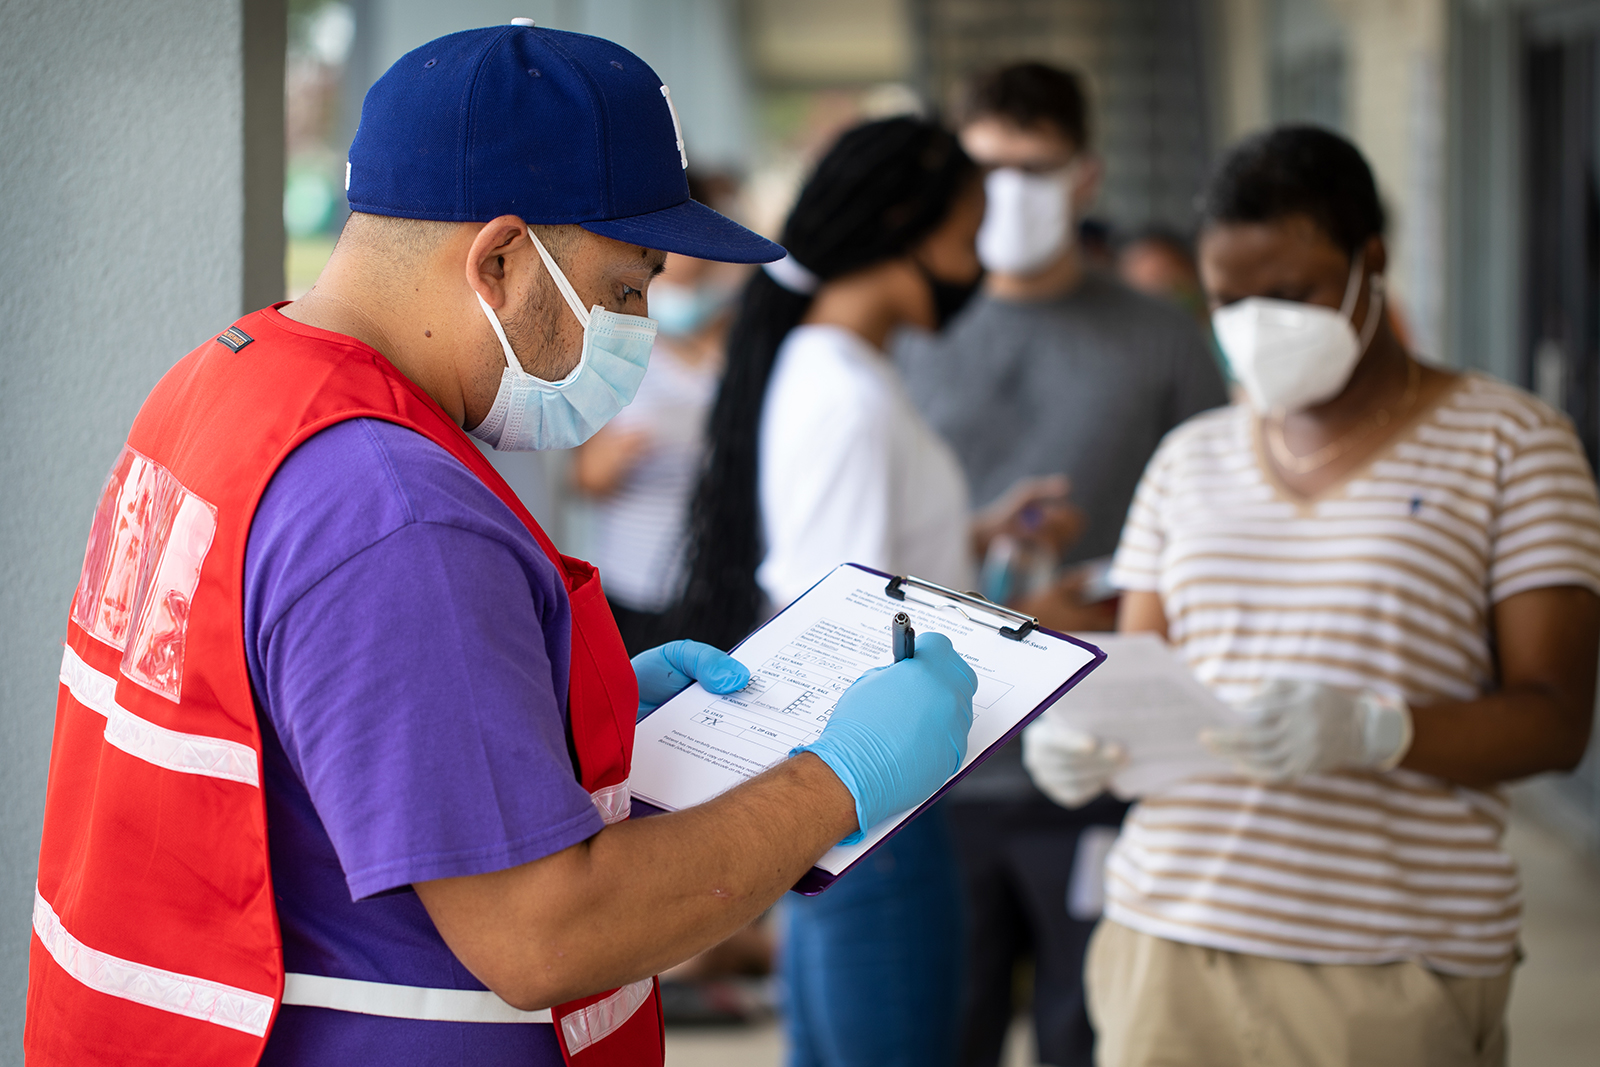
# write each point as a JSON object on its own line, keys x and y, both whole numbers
{"x": 1305, "y": 727}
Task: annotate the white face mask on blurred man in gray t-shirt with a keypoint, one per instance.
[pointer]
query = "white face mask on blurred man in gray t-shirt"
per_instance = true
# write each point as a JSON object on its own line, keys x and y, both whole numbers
{"x": 1028, "y": 222}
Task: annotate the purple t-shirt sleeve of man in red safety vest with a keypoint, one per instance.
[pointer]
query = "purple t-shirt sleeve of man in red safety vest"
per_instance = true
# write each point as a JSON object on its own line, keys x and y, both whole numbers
{"x": 412, "y": 692}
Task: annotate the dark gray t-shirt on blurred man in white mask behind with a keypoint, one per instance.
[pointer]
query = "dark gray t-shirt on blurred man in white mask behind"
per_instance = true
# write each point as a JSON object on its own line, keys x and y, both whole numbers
{"x": 1086, "y": 386}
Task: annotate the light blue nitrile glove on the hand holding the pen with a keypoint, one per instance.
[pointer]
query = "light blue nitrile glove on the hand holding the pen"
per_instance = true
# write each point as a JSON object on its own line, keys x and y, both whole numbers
{"x": 900, "y": 732}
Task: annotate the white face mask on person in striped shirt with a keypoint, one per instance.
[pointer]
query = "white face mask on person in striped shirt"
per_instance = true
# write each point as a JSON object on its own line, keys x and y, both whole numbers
{"x": 1292, "y": 356}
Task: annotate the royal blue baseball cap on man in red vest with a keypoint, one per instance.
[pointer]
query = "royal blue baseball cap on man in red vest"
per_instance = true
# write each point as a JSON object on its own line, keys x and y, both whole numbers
{"x": 551, "y": 127}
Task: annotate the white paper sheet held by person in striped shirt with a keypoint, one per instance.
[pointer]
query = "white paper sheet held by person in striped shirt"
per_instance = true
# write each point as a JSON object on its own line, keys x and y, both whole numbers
{"x": 1146, "y": 700}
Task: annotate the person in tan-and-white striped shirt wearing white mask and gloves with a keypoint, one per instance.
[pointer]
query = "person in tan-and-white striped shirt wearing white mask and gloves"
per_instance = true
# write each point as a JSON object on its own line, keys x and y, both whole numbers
{"x": 1393, "y": 570}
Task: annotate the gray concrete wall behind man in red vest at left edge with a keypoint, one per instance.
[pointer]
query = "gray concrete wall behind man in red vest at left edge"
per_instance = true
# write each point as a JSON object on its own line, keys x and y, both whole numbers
{"x": 124, "y": 210}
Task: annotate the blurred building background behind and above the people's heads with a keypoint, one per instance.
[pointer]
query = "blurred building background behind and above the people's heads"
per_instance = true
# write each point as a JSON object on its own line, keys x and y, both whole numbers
{"x": 1481, "y": 119}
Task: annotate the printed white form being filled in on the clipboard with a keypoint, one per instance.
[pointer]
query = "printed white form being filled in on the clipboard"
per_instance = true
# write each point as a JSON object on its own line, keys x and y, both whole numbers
{"x": 698, "y": 745}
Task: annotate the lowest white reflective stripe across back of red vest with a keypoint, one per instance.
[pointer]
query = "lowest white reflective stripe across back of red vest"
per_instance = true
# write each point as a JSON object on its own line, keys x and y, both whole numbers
{"x": 156, "y": 988}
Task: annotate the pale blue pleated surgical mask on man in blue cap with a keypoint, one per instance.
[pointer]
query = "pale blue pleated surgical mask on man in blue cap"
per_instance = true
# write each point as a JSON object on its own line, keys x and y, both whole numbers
{"x": 534, "y": 415}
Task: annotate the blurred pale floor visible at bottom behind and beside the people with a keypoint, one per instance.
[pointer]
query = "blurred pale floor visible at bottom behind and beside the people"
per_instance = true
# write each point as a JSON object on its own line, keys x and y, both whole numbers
{"x": 1556, "y": 1001}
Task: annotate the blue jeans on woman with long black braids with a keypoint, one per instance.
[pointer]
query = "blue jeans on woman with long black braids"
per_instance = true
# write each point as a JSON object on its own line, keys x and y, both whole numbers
{"x": 874, "y": 965}
